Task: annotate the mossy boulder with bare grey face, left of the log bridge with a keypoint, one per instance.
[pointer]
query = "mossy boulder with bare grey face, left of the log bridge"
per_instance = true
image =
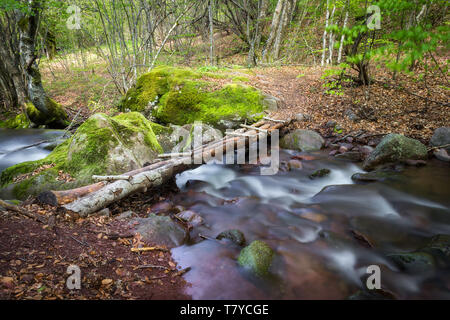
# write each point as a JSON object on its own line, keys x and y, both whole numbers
{"x": 102, "y": 145}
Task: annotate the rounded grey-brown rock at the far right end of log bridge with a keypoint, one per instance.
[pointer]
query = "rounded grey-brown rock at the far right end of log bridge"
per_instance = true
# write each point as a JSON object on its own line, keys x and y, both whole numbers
{"x": 302, "y": 140}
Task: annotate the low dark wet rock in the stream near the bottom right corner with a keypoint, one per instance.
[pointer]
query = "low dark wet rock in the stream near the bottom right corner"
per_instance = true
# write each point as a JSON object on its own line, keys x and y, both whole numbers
{"x": 414, "y": 261}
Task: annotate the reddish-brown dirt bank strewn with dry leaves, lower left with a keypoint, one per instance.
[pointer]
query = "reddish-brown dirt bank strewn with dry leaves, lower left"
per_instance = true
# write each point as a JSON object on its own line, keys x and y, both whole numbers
{"x": 34, "y": 257}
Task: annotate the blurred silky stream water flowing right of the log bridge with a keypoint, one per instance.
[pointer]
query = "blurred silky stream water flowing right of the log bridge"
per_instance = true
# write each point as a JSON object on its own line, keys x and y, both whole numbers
{"x": 311, "y": 225}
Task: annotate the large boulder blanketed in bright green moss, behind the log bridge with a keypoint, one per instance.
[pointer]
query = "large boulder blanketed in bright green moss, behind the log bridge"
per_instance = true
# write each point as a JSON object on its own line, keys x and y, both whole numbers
{"x": 181, "y": 96}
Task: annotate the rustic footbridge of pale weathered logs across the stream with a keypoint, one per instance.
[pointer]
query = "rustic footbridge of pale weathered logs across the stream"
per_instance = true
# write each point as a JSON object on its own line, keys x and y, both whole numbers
{"x": 92, "y": 198}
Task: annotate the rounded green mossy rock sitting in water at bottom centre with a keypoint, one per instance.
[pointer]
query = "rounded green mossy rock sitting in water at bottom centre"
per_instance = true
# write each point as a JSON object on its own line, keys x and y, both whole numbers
{"x": 257, "y": 257}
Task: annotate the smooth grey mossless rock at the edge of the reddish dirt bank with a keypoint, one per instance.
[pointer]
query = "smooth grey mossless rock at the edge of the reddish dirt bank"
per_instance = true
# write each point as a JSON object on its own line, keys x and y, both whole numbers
{"x": 161, "y": 230}
